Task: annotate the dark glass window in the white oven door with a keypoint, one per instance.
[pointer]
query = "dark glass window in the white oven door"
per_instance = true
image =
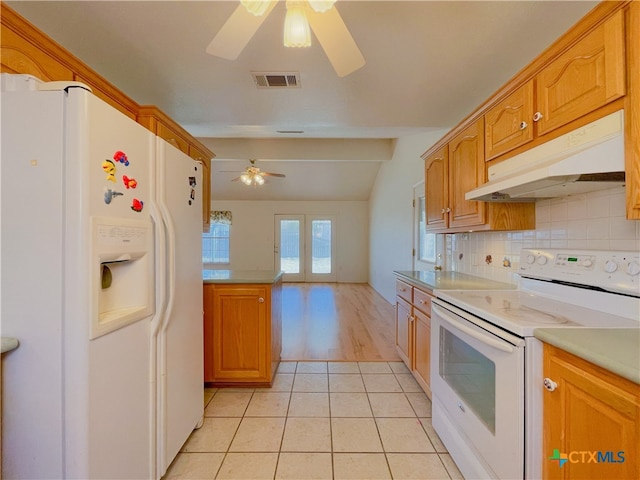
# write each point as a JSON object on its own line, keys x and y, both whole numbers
{"x": 471, "y": 375}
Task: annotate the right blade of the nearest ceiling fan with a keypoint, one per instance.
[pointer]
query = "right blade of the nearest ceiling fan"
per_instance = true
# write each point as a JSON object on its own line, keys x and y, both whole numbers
{"x": 336, "y": 41}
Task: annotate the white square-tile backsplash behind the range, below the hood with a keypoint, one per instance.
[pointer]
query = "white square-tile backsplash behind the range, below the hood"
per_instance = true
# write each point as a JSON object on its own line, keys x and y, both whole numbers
{"x": 593, "y": 220}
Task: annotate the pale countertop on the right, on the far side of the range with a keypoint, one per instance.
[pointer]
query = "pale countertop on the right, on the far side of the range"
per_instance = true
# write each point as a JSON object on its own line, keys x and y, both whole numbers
{"x": 451, "y": 281}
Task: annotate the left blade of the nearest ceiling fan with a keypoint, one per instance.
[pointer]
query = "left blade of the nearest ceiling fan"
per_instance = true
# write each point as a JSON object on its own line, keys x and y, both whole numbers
{"x": 236, "y": 32}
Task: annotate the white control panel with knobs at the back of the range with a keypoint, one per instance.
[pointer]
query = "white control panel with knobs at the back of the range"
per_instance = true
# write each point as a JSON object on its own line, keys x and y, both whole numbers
{"x": 615, "y": 271}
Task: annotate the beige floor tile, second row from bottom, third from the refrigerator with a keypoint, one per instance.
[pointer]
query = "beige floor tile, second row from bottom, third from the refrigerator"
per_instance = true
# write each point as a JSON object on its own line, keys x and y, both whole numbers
{"x": 307, "y": 435}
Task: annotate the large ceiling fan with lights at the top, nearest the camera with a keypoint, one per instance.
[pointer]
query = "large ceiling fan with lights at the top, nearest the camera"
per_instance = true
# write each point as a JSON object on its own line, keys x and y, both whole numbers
{"x": 325, "y": 21}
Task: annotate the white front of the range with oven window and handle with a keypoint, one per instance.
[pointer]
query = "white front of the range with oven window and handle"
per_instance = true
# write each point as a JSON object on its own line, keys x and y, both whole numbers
{"x": 477, "y": 382}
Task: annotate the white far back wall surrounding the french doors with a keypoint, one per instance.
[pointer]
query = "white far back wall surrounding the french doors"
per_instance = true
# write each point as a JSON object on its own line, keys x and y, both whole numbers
{"x": 253, "y": 233}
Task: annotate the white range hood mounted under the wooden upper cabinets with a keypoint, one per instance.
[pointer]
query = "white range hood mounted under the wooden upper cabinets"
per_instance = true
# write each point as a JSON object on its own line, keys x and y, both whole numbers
{"x": 584, "y": 160}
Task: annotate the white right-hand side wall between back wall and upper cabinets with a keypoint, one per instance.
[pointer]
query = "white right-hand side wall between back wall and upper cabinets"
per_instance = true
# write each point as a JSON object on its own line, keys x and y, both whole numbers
{"x": 391, "y": 212}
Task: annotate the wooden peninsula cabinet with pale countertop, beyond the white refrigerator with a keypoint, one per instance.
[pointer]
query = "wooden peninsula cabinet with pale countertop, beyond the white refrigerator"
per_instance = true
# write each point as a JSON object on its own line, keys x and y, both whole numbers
{"x": 242, "y": 326}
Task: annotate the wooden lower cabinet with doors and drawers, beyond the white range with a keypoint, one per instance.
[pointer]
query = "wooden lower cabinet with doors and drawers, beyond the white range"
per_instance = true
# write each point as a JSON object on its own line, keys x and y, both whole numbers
{"x": 413, "y": 331}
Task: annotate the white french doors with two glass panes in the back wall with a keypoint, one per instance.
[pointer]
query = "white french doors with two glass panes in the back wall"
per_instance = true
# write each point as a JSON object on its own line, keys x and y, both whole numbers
{"x": 305, "y": 247}
